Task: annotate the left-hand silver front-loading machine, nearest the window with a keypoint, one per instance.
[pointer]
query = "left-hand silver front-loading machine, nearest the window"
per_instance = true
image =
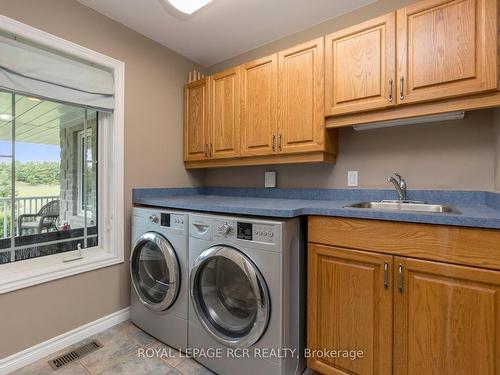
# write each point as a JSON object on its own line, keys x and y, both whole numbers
{"x": 159, "y": 274}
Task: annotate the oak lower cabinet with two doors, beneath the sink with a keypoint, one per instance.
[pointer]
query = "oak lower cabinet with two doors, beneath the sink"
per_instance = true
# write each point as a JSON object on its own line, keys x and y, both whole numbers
{"x": 407, "y": 316}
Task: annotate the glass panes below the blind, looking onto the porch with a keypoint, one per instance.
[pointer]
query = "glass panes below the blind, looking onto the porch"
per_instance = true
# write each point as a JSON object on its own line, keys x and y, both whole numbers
{"x": 49, "y": 206}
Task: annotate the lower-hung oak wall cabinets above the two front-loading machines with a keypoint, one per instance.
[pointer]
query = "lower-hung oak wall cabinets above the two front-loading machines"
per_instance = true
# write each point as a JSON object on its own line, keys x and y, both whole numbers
{"x": 268, "y": 111}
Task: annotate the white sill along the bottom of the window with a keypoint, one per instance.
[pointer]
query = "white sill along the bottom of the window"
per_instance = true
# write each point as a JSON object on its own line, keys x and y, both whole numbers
{"x": 26, "y": 273}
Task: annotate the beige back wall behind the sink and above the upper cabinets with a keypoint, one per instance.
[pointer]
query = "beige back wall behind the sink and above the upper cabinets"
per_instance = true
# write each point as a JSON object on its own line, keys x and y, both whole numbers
{"x": 459, "y": 155}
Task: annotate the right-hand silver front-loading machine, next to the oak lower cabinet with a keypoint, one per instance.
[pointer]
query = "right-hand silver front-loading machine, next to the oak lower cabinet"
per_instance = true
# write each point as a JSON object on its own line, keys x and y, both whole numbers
{"x": 247, "y": 295}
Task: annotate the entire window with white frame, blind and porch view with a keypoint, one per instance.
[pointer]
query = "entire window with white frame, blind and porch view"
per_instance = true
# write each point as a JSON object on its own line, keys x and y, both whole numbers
{"x": 61, "y": 158}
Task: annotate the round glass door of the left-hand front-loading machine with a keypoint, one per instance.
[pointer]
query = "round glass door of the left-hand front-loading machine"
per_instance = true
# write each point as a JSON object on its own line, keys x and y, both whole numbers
{"x": 154, "y": 269}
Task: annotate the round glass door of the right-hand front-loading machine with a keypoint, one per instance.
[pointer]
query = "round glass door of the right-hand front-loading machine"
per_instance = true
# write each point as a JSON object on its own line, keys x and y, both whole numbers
{"x": 230, "y": 296}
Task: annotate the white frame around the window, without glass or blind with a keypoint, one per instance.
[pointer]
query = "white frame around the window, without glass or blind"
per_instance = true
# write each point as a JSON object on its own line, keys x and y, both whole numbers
{"x": 110, "y": 251}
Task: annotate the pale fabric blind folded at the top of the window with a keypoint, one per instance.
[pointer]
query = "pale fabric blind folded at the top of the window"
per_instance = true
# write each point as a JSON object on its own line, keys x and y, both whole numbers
{"x": 29, "y": 70}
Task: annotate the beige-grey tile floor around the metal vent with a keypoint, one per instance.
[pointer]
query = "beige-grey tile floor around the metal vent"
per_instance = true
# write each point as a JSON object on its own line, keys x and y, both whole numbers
{"x": 119, "y": 356}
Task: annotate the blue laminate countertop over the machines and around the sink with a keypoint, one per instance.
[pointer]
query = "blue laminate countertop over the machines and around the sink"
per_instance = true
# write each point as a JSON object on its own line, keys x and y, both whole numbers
{"x": 478, "y": 208}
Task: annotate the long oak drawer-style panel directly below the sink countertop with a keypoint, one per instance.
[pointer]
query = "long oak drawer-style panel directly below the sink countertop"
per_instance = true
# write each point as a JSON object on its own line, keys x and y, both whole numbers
{"x": 458, "y": 245}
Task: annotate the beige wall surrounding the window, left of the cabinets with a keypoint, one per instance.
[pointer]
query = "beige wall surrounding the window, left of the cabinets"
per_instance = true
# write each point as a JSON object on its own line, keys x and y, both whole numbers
{"x": 153, "y": 157}
